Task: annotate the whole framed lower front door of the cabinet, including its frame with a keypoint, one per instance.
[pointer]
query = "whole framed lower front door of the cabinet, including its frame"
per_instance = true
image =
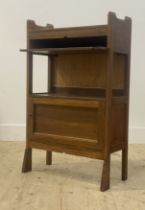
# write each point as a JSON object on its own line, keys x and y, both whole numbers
{"x": 67, "y": 122}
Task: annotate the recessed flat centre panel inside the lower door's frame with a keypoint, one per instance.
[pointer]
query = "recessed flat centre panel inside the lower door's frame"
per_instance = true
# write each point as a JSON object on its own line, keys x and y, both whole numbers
{"x": 66, "y": 121}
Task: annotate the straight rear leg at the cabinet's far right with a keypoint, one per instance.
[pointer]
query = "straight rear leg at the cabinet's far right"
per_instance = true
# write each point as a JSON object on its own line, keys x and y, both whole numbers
{"x": 124, "y": 164}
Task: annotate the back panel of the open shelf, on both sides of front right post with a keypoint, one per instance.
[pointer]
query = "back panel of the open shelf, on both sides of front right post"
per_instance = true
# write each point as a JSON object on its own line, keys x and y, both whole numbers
{"x": 87, "y": 71}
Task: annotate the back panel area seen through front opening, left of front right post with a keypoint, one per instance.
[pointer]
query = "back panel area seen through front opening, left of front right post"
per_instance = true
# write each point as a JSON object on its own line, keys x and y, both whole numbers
{"x": 83, "y": 71}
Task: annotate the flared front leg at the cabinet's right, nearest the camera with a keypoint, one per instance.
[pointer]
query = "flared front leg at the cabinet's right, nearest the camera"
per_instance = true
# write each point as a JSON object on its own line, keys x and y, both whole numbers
{"x": 105, "y": 181}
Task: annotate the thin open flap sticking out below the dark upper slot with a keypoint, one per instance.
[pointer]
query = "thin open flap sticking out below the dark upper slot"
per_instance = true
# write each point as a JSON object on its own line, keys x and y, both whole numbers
{"x": 53, "y": 51}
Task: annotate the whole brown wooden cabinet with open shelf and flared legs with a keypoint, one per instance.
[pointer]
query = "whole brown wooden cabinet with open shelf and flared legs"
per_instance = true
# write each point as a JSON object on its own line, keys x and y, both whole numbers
{"x": 85, "y": 110}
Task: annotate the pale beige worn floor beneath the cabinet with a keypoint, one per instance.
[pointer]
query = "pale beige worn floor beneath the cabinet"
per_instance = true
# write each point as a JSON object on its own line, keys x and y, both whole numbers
{"x": 71, "y": 183}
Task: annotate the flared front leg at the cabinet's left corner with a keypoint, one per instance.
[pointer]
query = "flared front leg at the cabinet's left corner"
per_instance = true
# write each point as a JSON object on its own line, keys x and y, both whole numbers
{"x": 27, "y": 162}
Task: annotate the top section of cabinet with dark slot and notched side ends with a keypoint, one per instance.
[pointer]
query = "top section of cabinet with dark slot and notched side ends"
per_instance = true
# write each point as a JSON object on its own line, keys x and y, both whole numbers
{"x": 116, "y": 35}
